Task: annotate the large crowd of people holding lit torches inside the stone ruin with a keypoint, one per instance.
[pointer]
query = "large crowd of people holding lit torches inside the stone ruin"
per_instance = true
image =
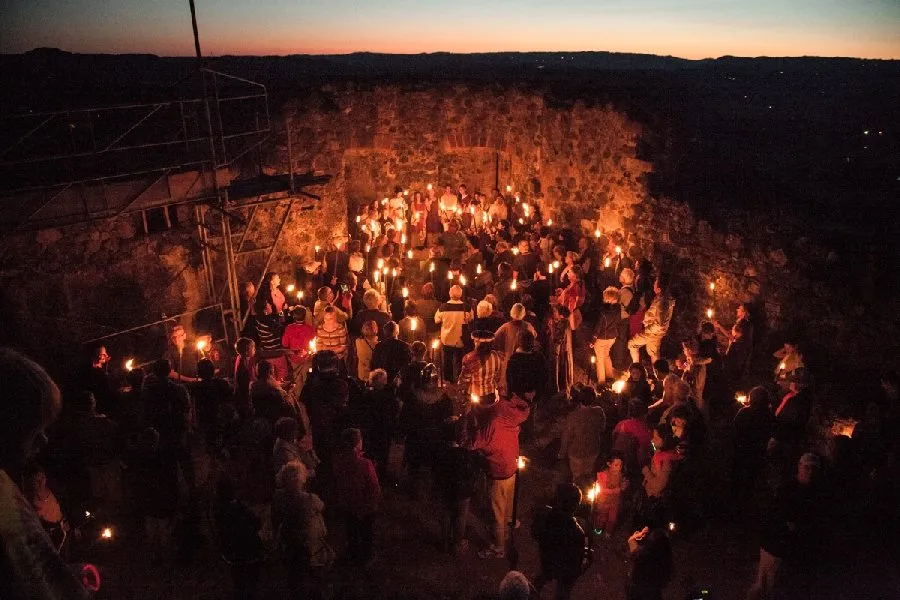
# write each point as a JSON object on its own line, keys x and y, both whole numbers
{"x": 448, "y": 332}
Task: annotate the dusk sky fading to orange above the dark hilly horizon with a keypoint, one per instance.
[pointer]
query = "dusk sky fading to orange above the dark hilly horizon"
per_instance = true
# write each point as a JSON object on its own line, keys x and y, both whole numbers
{"x": 686, "y": 28}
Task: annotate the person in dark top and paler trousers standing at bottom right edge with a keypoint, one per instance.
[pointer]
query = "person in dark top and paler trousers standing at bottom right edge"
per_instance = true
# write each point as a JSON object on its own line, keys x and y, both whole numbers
{"x": 794, "y": 526}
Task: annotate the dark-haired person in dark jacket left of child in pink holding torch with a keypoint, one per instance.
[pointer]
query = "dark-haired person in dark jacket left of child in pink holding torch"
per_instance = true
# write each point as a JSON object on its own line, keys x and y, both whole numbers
{"x": 562, "y": 543}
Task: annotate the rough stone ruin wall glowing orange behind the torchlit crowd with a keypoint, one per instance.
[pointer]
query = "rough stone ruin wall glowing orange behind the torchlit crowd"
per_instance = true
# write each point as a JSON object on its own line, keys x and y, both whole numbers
{"x": 580, "y": 162}
